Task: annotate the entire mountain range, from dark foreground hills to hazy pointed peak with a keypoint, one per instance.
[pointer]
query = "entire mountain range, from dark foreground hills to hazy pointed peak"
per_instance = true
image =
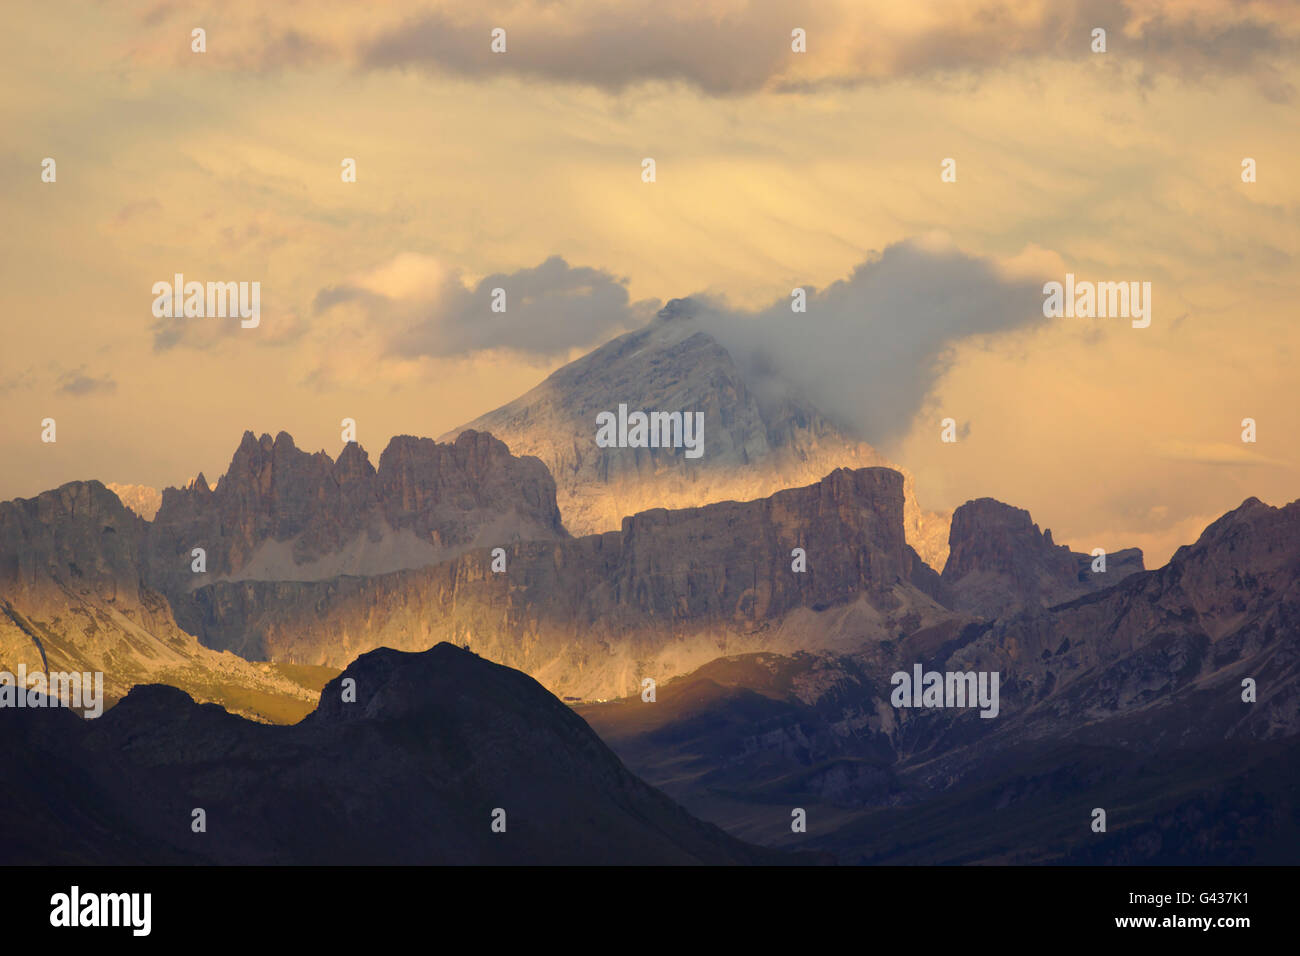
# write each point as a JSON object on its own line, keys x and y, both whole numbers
{"x": 768, "y": 595}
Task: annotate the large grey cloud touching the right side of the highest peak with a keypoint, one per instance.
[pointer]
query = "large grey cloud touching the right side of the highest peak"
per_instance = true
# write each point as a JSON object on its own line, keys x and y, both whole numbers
{"x": 872, "y": 348}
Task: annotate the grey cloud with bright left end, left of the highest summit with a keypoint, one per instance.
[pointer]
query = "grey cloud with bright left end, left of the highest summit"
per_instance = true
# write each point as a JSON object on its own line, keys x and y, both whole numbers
{"x": 423, "y": 310}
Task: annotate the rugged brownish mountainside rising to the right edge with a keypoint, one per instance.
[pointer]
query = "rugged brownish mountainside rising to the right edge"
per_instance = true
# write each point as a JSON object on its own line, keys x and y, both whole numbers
{"x": 1188, "y": 634}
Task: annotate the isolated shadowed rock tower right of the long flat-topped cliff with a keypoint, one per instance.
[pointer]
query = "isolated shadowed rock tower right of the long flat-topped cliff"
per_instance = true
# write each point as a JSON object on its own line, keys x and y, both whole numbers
{"x": 999, "y": 561}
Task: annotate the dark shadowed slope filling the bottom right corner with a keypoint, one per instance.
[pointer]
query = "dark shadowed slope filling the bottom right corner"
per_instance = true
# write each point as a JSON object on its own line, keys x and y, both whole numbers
{"x": 1224, "y": 803}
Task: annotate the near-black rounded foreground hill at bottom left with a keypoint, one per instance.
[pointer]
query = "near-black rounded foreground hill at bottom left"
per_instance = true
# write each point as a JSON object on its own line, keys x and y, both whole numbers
{"x": 413, "y": 772}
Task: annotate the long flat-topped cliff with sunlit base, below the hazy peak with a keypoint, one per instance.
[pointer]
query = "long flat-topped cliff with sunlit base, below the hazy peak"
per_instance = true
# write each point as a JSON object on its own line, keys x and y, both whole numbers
{"x": 593, "y": 617}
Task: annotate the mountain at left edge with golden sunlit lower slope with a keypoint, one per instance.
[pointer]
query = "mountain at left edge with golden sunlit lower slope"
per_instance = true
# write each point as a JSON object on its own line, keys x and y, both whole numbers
{"x": 73, "y": 598}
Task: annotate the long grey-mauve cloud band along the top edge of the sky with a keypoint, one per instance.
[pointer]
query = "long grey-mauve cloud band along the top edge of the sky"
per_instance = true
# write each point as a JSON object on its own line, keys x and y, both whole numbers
{"x": 740, "y": 49}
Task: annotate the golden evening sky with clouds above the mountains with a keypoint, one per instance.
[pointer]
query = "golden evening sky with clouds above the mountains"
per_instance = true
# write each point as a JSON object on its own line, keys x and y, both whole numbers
{"x": 774, "y": 170}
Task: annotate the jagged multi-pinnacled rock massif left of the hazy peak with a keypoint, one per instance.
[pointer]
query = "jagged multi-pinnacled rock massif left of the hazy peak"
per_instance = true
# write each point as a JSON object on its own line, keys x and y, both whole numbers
{"x": 284, "y": 514}
